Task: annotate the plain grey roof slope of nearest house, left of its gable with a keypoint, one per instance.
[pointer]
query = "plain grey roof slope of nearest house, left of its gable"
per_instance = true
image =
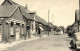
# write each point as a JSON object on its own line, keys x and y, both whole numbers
{"x": 7, "y": 11}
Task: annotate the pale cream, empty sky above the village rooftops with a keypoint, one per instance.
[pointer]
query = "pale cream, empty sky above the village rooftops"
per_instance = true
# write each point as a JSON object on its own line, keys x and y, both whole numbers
{"x": 63, "y": 11}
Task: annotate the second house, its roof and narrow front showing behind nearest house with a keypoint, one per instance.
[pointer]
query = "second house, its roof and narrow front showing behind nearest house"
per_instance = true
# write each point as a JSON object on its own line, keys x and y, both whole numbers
{"x": 25, "y": 15}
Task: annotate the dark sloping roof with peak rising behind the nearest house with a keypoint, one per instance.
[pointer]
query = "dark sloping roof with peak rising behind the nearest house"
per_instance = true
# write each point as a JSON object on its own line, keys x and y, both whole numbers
{"x": 23, "y": 10}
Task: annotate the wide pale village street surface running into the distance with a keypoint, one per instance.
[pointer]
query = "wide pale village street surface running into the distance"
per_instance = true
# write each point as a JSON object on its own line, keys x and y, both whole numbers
{"x": 51, "y": 43}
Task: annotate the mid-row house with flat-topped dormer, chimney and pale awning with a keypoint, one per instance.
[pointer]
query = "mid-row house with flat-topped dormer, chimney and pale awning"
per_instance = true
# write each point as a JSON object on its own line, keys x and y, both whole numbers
{"x": 37, "y": 24}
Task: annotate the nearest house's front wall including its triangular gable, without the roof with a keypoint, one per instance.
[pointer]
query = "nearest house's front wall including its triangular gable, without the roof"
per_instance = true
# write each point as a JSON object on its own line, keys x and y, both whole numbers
{"x": 15, "y": 32}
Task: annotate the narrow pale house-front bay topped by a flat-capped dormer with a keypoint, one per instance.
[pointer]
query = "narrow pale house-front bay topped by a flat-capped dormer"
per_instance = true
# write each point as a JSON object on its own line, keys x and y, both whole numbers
{"x": 32, "y": 23}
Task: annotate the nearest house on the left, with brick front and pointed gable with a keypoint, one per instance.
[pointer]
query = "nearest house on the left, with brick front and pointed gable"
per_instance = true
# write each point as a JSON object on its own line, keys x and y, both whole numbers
{"x": 12, "y": 25}
